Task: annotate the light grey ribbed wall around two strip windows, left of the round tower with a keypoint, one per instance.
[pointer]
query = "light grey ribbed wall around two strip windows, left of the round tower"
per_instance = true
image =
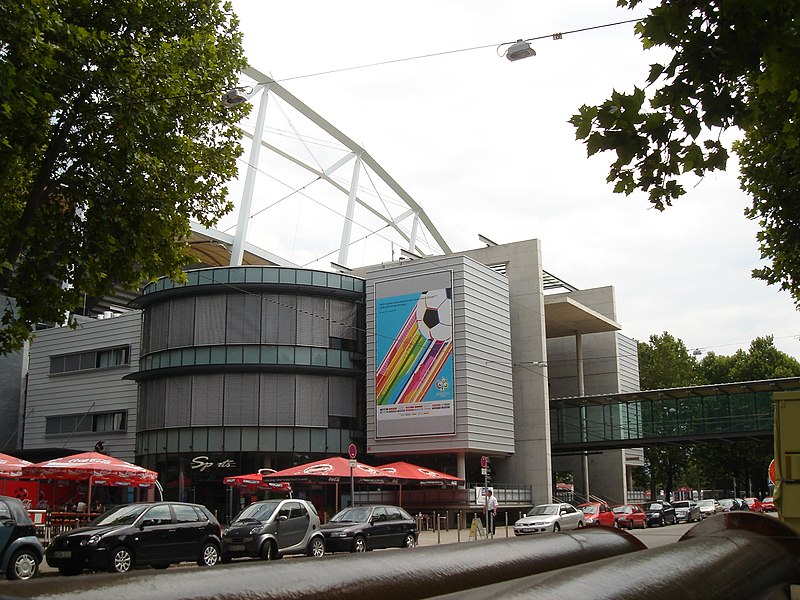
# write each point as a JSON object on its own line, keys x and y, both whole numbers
{"x": 83, "y": 392}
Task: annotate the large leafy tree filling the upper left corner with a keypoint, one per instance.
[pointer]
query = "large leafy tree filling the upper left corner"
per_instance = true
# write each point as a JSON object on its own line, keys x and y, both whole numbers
{"x": 112, "y": 137}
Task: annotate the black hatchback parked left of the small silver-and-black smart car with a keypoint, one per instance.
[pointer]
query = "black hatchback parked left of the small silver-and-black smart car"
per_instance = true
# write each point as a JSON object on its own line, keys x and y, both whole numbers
{"x": 146, "y": 533}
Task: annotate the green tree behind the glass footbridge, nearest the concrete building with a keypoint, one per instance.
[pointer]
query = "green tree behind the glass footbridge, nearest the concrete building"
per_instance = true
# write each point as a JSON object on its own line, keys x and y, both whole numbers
{"x": 664, "y": 362}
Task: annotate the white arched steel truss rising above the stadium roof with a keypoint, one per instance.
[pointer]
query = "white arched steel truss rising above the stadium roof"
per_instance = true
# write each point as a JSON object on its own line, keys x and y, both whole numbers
{"x": 366, "y": 197}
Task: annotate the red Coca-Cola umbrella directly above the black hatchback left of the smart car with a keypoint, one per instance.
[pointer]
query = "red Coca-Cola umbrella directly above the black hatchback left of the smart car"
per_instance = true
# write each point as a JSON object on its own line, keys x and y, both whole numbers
{"x": 96, "y": 468}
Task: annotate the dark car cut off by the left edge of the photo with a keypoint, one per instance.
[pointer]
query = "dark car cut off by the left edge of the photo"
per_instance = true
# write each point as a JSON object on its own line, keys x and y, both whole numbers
{"x": 21, "y": 551}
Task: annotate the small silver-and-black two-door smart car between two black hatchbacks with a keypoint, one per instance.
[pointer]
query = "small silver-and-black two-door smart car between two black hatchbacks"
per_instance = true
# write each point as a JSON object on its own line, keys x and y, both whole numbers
{"x": 274, "y": 528}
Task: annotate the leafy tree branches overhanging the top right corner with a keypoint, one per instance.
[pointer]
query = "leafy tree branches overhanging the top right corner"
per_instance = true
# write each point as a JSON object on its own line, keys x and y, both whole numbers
{"x": 734, "y": 66}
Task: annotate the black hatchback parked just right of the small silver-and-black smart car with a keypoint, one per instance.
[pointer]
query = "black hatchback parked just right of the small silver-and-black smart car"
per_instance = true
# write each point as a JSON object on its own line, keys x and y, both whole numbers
{"x": 362, "y": 528}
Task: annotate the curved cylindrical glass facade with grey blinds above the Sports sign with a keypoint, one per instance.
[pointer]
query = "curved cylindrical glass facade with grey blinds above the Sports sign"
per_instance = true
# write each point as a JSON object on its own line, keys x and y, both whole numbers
{"x": 248, "y": 367}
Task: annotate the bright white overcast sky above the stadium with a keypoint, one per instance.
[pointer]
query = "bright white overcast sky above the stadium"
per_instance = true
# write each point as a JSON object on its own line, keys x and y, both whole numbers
{"x": 483, "y": 144}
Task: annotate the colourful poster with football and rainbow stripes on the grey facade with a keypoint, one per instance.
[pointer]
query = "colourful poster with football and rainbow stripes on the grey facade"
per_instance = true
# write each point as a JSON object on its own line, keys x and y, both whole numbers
{"x": 414, "y": 384}
